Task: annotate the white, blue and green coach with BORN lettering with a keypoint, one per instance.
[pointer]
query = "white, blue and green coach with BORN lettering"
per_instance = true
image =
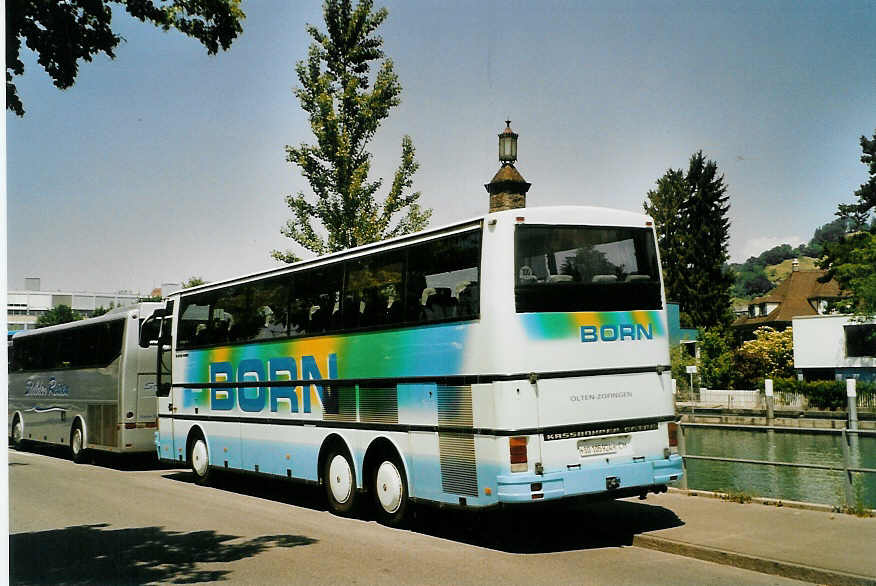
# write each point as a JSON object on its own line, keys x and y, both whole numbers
{"x": 514, "y": 358}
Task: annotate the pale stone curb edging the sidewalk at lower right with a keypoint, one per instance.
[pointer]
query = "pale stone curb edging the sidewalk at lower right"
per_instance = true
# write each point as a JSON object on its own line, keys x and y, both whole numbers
{"x": 754, "y": 563}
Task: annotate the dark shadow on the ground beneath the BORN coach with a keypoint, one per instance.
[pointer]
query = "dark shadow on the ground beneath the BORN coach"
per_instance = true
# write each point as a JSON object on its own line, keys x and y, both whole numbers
{"x": 533, "y": 528}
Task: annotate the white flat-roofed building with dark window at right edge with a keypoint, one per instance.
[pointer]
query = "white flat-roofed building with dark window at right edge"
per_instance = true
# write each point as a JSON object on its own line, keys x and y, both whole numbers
{"x": 828, "y": 347}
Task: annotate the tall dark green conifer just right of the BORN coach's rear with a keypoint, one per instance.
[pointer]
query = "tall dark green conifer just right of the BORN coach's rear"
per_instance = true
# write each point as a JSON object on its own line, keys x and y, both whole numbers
{"x": 690, "y": 213}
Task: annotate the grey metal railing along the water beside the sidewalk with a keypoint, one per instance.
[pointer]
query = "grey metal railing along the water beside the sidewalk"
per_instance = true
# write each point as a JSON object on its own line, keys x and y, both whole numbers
{"x": 848, "y": 435}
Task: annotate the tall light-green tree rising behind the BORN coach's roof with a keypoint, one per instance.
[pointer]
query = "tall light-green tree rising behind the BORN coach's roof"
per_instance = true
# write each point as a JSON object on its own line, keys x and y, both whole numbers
{"x": 345, "y": 111}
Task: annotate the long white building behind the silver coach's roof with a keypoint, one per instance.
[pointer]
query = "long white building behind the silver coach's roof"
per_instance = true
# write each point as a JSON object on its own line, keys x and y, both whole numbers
{"x": 24, "y": 307}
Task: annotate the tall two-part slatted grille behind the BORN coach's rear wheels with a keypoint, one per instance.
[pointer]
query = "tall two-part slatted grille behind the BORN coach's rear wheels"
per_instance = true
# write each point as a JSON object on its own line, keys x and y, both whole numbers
{"x": 459, "y": 474}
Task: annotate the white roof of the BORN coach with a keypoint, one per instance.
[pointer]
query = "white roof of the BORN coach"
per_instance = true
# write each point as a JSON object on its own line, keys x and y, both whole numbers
{"x": 569, "y": 214}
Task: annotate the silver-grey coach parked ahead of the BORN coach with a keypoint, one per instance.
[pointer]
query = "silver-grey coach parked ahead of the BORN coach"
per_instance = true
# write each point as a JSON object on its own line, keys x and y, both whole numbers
{"x": 86, "y": 384}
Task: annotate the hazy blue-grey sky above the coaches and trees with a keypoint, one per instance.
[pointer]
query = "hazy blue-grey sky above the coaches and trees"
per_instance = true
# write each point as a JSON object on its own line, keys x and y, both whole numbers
{"x": 167, "y": 163}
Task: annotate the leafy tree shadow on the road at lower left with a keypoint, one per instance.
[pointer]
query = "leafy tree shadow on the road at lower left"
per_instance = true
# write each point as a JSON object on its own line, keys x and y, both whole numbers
{"x": 92, "y": 554}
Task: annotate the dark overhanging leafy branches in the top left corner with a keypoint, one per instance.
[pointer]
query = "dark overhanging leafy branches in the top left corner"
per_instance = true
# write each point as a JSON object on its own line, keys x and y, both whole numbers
{"x": 63, "y": 33}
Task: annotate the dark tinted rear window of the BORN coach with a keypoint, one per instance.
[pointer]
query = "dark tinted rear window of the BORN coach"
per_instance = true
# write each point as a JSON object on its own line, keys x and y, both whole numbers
{"x": 585, "y": 268}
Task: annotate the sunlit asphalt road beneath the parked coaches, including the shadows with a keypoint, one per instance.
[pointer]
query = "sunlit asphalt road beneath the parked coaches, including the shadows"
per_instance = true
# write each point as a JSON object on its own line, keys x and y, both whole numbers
{"x": 122, "y": 521}
